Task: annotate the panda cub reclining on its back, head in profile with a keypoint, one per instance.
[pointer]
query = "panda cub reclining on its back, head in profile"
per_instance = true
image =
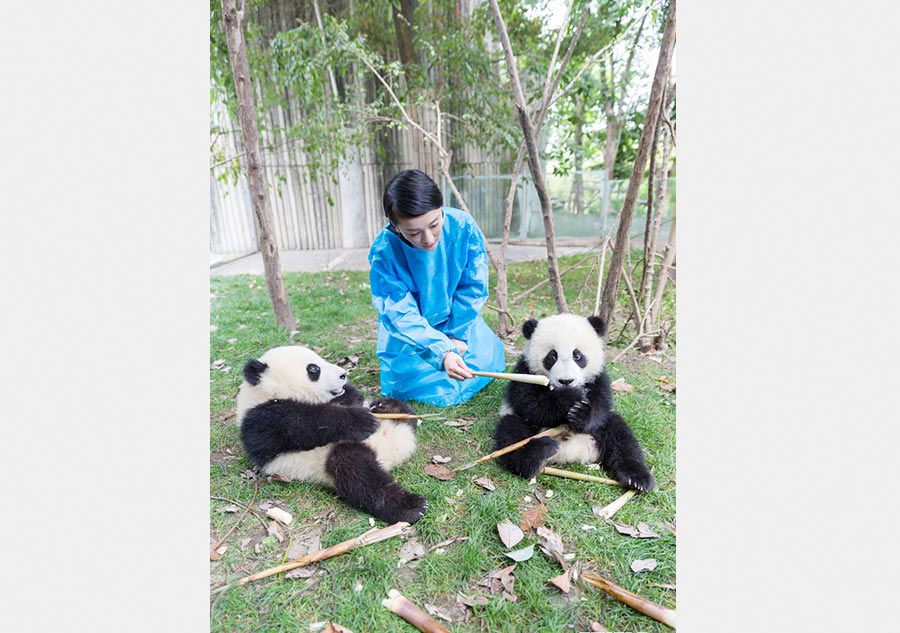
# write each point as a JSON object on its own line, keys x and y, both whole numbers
{"x": 301, "y": 419}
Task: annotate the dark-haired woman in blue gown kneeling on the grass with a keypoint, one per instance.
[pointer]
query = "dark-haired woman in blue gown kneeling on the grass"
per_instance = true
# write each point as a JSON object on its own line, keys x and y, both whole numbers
{"x": 429, "y": 278}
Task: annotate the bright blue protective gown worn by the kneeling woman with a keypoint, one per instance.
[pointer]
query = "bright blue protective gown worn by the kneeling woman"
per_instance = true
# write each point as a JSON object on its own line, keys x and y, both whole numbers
{"x": 422, "y": 298}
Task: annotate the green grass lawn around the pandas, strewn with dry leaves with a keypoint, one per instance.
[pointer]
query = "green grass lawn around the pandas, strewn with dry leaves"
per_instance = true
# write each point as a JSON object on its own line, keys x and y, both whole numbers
{"x": 336, "y": 319}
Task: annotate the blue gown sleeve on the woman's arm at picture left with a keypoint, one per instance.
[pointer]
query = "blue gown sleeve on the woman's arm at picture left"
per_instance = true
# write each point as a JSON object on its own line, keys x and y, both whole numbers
{"x": 400, "y": 315}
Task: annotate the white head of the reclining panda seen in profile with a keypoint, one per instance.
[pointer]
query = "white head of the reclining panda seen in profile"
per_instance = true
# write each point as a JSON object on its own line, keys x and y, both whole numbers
{"x": 289, "y": 372}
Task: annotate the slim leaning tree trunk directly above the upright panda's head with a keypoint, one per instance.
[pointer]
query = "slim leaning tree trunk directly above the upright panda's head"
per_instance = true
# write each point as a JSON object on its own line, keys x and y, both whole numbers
{"x": 534, "y": 162}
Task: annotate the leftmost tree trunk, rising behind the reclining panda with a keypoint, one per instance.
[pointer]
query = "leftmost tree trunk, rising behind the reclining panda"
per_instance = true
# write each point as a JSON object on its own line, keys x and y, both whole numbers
{"x": 237, "y": 50}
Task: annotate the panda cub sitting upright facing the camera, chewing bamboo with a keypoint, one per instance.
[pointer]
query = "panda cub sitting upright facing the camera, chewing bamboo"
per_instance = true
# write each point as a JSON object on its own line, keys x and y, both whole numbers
{"x": 569, "y": 350}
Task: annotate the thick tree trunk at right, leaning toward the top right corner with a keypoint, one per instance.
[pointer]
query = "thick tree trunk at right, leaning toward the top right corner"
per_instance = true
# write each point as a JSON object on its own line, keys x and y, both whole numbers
{"x": 623, "y": 243}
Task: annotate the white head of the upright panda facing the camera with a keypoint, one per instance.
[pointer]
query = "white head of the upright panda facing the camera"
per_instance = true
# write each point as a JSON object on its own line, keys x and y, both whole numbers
{"x": 567, "y": 349}
